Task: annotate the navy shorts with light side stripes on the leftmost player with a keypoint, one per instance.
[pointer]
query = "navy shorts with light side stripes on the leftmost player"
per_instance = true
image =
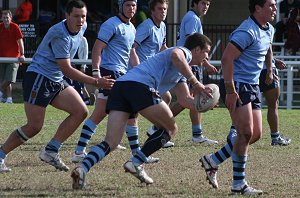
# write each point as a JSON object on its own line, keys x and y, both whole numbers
{"x": 40, "y": 90}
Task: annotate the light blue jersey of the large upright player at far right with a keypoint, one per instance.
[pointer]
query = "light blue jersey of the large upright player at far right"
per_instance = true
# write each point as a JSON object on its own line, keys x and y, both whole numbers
{"x": 254, "y": 42}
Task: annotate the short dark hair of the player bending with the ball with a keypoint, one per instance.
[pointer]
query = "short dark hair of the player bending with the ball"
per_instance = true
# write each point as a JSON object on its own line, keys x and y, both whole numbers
{"x": 196, "y": 39}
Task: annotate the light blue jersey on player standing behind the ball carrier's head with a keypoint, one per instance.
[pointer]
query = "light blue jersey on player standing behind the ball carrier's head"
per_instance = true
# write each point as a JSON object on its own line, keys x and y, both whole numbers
{"x": 190, "y": 24}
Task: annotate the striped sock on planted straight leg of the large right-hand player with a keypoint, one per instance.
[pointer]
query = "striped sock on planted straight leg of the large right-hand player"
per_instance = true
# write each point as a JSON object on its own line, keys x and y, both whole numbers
{"x": 239, "y": 165}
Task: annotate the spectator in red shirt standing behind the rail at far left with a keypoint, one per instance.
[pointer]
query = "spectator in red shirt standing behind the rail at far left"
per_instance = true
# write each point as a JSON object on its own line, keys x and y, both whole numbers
{"x": 11, "y": 45}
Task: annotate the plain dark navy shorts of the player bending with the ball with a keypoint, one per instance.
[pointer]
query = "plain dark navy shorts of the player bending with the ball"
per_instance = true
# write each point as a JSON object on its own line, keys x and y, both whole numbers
{"x": 131, "y": 97}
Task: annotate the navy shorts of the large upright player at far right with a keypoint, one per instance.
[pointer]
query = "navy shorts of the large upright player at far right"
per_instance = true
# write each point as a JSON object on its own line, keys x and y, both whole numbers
{"x": 247, "y": 93}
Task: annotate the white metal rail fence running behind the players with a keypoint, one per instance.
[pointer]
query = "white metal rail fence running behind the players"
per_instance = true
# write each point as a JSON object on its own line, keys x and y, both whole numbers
{"x": 289, "y": 78}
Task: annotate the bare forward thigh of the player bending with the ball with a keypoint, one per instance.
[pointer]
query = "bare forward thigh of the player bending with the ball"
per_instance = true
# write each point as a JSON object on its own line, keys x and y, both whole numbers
{"x": 160, "y": 115}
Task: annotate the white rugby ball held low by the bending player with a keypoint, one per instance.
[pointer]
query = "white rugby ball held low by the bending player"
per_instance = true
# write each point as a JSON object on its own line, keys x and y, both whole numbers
{"x": 203, "y": 103}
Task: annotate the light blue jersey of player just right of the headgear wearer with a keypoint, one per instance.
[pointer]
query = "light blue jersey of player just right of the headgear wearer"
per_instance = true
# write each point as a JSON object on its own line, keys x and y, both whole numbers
{"x": 150, "y": 39}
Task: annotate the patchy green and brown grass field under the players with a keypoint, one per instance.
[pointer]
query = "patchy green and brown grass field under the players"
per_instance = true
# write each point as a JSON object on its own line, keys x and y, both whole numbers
{"x": 275, "y": 170}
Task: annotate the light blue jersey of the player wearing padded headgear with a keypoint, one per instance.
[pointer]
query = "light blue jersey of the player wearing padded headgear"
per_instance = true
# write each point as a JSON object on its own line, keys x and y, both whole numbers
{"x": 119, "y": 38}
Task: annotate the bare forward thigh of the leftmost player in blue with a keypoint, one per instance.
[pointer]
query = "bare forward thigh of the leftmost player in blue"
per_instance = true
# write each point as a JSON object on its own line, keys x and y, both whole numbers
{"x": 70, "y": 101}
